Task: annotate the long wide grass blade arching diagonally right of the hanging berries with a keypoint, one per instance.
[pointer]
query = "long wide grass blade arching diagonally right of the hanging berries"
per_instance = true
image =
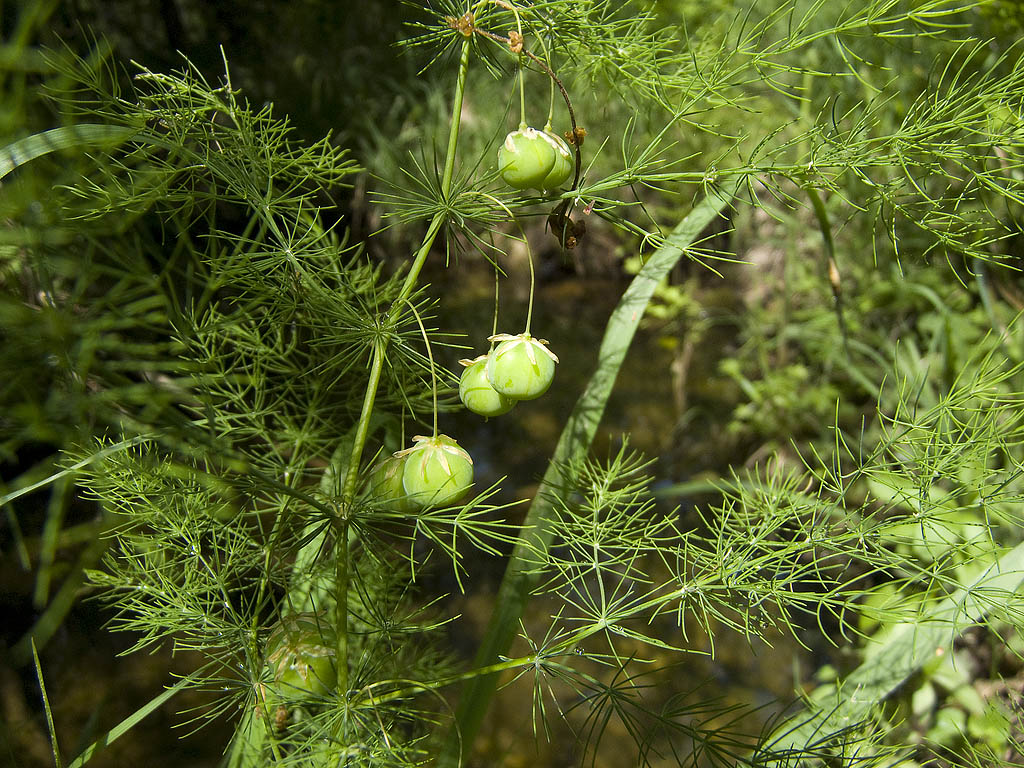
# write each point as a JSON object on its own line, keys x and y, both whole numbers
{"x": 574, "y": 444}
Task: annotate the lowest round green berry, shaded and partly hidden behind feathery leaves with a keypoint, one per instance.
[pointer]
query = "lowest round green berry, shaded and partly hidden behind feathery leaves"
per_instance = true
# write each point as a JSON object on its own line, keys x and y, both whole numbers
{"x": 301, "y": 654}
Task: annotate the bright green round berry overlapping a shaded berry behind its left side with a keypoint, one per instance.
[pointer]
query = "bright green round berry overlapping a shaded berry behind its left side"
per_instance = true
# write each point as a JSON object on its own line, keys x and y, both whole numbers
{"x": 438, "y": 472}
